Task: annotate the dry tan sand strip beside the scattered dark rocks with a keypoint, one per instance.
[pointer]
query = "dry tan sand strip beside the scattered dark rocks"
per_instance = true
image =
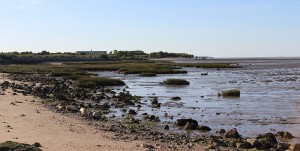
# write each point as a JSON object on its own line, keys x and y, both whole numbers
{"x": 22, "y": 123}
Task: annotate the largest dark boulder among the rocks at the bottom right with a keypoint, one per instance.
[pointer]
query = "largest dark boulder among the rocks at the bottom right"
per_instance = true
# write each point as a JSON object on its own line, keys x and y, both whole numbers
{"x": 267, "y": 141}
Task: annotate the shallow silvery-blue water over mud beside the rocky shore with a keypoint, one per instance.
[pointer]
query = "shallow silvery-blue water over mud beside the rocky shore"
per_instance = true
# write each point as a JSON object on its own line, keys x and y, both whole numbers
{"x": 269, "y": 102}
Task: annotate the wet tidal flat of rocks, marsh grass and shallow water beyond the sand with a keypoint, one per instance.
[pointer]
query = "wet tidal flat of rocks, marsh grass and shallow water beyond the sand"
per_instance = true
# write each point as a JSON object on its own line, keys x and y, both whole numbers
{"x": 143, "y": 108}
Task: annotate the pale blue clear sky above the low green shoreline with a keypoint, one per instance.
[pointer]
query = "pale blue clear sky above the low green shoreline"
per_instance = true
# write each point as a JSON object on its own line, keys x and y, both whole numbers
{"x": 216, "y": 28}
